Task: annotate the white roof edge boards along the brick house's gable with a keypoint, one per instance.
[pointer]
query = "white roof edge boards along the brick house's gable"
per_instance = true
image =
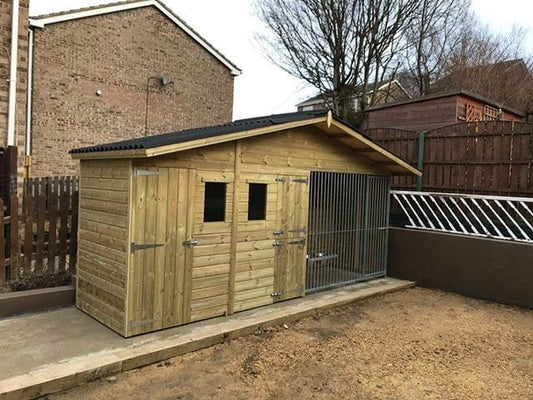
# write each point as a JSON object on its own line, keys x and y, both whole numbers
{"x": 42, "y": 21}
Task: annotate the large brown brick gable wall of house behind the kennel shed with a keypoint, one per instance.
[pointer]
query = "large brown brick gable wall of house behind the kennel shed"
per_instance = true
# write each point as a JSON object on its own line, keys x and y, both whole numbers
{"x": 116, "y": 53}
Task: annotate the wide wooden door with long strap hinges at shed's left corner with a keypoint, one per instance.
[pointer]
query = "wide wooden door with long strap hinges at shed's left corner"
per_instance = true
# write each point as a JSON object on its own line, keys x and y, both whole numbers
{"x": 161, "y": 259}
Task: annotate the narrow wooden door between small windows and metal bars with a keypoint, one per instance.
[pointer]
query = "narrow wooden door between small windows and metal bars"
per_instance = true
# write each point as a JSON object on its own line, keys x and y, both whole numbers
{"x": 293, "y": 200}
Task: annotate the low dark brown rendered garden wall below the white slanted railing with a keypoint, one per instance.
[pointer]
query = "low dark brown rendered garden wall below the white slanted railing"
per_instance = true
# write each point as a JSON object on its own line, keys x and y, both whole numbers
{"x": 495, "y": 270}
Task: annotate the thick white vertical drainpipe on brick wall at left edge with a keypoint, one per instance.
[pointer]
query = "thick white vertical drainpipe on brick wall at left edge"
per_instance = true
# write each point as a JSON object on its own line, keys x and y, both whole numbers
{"x": 12, "y": 99}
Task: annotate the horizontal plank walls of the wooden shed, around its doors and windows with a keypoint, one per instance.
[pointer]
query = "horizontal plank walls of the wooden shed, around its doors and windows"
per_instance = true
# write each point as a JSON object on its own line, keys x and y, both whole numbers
{"x": 233, "y": 265}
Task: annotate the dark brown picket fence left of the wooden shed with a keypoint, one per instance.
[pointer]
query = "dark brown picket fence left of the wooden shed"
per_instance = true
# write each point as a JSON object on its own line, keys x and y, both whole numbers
{"x": 39, "y": 229}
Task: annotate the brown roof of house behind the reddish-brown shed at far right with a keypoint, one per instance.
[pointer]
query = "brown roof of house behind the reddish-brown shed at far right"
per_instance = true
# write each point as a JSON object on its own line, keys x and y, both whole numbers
{"x": 508, "y": 82}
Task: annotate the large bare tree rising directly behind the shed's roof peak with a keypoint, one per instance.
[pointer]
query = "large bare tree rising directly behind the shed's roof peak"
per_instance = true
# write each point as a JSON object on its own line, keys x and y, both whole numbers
{"x": 337, "y": 46}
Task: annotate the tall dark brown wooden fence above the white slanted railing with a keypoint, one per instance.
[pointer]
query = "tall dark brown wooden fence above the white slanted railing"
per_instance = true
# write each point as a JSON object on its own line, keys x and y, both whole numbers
{"x": 491, "y": 157}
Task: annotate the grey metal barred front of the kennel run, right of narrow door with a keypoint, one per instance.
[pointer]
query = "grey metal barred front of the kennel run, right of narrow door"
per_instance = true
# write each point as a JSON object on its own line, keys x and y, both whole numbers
{"x": 348, "y": 229}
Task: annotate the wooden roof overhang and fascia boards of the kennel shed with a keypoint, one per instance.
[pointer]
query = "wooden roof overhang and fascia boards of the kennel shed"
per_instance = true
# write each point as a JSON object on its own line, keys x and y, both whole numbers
{"x": 328, "y": 124}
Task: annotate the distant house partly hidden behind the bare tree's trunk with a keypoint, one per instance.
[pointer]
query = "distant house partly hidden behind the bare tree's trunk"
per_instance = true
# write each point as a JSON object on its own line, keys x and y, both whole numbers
{"x": 387, "y": 91}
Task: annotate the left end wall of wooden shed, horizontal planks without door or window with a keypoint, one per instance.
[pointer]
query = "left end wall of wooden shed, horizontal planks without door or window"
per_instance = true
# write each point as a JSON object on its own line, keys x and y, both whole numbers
{"x": 103, "y": 241}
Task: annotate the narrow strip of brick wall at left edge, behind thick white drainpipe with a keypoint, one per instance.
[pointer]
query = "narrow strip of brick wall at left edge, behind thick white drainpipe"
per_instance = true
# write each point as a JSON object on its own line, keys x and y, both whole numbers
{"x": 5, "y": 49}
